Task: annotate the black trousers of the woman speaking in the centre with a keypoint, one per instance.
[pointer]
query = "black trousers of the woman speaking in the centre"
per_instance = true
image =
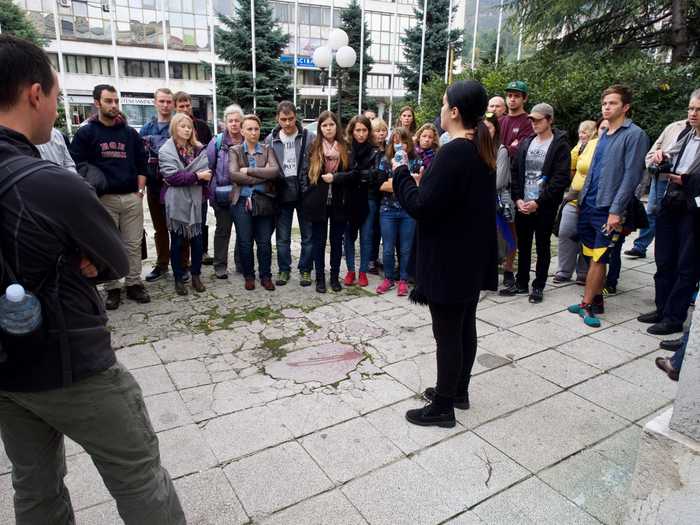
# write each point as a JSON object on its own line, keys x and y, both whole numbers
{"x": 454, "y": 328}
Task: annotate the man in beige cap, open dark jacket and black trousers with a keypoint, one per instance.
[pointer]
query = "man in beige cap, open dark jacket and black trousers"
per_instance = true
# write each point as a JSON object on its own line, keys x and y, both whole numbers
{"x": 540, "y": 175}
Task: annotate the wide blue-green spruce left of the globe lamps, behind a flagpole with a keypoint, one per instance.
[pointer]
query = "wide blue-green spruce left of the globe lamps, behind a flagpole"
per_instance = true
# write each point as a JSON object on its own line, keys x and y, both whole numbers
{"x": 234, "y": 44}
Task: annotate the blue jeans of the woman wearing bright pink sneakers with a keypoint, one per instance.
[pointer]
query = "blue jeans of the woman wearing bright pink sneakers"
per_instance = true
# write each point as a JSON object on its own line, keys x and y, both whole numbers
{"x": 396, "y": 225}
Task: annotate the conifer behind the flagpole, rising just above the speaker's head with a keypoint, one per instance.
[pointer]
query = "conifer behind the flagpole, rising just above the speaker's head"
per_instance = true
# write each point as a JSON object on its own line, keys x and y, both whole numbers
{"x": 436, "y": 42}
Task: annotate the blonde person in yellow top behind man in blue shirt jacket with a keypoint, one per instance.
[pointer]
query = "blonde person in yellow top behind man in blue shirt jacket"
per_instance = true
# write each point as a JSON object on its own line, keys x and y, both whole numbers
{"x": 569, "y": 250}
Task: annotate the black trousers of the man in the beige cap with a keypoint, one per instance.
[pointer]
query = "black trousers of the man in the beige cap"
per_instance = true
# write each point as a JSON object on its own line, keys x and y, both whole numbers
{"x": 538, "y": 225}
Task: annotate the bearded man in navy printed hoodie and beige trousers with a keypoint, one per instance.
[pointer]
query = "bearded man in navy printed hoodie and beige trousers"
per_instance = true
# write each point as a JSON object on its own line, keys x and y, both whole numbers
{"x": 108, "y": 143}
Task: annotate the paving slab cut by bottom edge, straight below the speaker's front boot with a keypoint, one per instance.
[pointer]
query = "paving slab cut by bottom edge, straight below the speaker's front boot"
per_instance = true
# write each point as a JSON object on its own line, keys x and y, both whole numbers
{"x": 404, "y": 493}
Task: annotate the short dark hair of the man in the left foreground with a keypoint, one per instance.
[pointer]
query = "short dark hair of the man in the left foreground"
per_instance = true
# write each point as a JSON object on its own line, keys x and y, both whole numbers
{"x": 22, "y": 64}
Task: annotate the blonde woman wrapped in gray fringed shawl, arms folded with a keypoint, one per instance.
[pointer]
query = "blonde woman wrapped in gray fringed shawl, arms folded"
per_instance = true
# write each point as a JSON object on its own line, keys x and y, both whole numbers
{"x": 185, "y": 170}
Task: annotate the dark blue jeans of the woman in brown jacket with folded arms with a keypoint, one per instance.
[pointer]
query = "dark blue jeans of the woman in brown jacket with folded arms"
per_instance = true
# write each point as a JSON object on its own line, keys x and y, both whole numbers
{"x": 258, "y": 229}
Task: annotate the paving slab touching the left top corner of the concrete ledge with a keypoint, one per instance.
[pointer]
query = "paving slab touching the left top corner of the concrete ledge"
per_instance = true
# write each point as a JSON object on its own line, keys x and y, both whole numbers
{"x": 620, "y": 396}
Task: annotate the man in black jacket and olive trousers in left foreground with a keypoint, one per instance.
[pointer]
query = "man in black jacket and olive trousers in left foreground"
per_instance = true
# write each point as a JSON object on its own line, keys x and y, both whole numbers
{"x": 53, "y": 215}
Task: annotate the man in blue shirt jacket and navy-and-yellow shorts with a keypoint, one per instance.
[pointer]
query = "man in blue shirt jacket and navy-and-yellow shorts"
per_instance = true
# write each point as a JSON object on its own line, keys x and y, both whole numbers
{"x": 614, "y": 174}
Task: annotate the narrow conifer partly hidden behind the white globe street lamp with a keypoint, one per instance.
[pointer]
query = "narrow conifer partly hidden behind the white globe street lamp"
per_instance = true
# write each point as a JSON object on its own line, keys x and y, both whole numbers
{"x": 351, "y": 18}
